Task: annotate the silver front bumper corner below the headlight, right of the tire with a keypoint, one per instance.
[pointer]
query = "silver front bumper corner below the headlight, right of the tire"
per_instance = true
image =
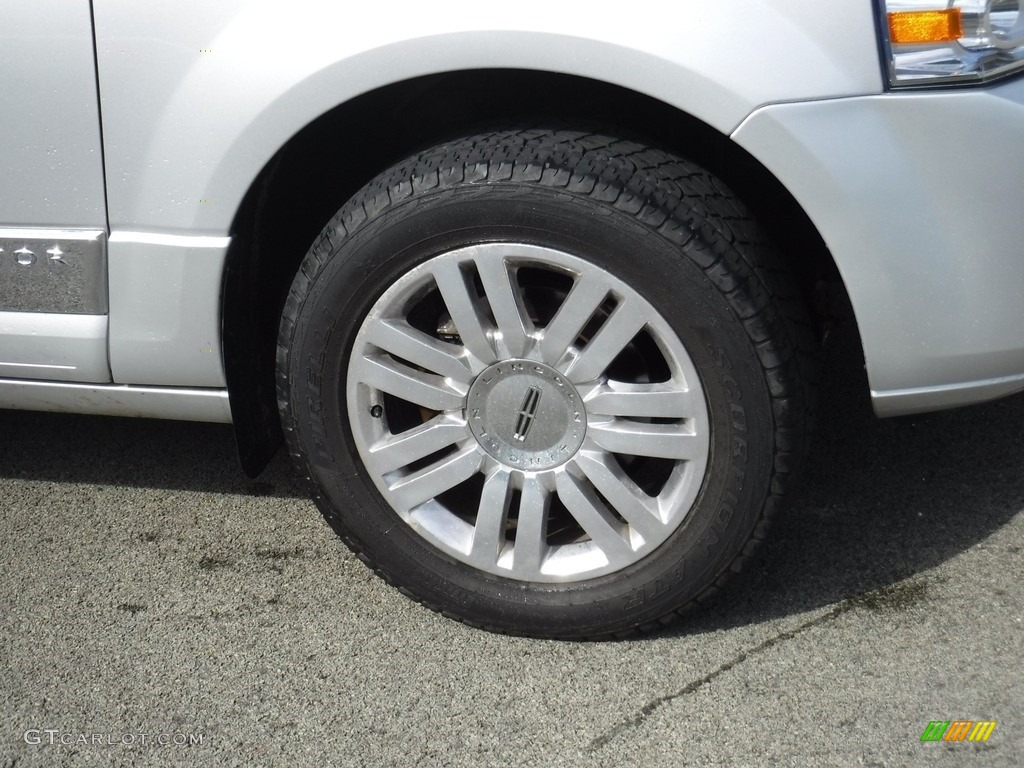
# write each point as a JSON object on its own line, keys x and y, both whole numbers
{"x": 918, "y": 197}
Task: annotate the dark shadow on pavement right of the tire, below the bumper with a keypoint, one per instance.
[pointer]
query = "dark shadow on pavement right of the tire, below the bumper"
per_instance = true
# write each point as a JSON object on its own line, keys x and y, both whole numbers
{"x": 881, "y": 501}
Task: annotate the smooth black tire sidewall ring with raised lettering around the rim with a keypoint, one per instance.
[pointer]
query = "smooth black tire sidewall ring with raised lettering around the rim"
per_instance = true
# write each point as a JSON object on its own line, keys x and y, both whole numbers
{"x": 361, "y": 265}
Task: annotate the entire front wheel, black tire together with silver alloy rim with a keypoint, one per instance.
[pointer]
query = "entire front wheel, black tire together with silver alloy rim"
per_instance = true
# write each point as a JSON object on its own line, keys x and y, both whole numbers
{"x": 541, "y": 382}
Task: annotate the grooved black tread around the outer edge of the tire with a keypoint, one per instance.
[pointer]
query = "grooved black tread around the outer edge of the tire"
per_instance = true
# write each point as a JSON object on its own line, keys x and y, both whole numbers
{"x": 669, "y": 196}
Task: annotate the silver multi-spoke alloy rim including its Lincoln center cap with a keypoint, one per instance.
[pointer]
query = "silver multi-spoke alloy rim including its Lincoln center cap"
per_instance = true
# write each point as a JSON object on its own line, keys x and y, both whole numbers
{"x": 528, "y": 413}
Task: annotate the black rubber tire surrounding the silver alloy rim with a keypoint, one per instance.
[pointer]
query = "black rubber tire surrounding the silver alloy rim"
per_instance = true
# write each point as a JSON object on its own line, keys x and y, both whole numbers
{"x": 649, "y": 221}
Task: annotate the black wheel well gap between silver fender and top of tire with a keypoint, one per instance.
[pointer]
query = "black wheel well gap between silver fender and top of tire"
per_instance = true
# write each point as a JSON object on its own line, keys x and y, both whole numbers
{"x": 331, "y": 159}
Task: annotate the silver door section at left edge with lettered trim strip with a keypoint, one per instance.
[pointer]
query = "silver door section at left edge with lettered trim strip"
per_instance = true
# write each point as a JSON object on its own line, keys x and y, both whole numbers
{"x": 53, "y": 208}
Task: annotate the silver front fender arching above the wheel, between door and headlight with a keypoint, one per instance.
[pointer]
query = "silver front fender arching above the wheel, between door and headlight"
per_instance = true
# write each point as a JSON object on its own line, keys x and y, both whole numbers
{"x": 184, "y": 125}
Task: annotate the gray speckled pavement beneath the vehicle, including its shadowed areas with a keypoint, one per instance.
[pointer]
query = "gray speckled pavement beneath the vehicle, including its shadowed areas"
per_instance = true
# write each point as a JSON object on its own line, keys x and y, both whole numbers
{"x": 149, "y": 588}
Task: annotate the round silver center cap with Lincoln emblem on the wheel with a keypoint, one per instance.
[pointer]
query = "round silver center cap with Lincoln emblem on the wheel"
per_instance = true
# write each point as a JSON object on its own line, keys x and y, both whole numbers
{"x": 527, "y": 415}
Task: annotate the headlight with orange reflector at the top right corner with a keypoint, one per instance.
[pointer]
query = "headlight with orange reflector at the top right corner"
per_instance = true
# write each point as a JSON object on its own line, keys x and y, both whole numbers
{"x": 943, "y": 42}
